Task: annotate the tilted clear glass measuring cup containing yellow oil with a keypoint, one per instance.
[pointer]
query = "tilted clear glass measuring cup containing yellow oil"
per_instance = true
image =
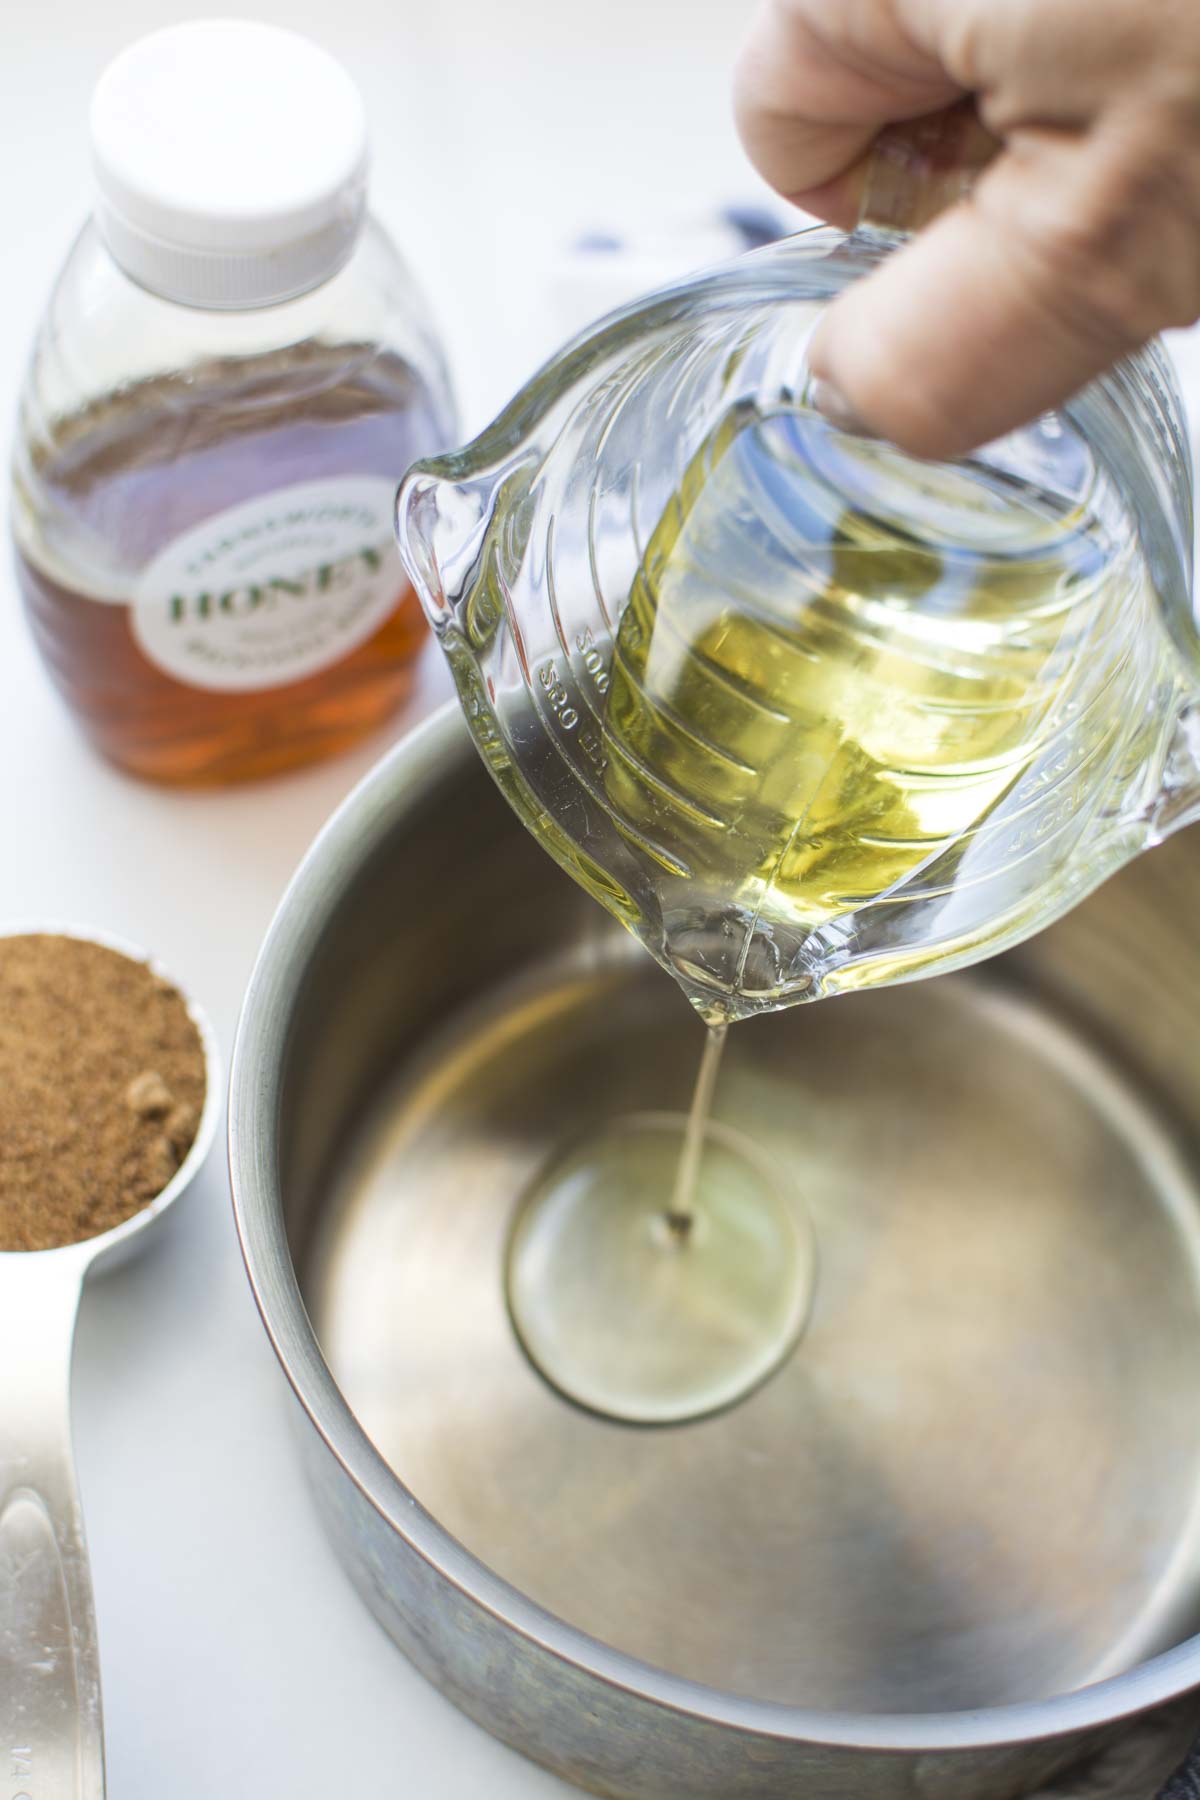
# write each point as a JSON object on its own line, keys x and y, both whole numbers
{"x": 803, "y": 712}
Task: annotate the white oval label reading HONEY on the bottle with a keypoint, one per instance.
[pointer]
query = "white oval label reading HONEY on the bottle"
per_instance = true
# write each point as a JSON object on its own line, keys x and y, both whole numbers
{"x": 274, "y": 589}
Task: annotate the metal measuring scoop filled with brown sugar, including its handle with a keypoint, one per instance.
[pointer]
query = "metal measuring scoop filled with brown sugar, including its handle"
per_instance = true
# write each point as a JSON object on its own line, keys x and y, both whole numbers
{"x": 109, "y": 1099}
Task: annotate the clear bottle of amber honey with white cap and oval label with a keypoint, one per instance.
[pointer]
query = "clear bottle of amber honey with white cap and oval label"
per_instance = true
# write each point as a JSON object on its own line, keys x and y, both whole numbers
{"x": 233, "y": 373}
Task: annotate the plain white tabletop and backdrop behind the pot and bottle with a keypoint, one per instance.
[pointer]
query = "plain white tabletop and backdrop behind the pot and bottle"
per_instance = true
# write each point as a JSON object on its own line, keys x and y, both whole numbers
{"x": 237, "y": 1659}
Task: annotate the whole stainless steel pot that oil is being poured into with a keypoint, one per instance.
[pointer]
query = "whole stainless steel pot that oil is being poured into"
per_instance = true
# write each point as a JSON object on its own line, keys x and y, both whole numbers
{"x": 953, "y": 1547}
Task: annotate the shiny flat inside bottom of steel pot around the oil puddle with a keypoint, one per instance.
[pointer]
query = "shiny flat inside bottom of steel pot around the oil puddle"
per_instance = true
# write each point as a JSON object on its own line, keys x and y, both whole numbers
{"x": 978, "y": 1480}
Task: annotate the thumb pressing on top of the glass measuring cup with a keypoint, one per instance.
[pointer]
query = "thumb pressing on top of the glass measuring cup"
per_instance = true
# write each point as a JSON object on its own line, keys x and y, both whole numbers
{"x": 1001, "y": 309}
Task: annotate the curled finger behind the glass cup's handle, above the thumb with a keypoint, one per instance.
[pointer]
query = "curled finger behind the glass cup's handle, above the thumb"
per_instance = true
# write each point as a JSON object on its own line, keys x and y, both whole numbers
{"x": 814, "y": 87}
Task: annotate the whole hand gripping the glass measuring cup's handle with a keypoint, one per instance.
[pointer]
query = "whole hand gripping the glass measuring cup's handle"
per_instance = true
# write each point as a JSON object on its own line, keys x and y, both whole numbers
{"x": 1080, "y": 240}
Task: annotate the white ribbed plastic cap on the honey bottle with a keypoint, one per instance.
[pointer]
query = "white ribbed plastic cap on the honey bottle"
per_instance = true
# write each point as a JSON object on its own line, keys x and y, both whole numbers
{"x": 231, "y": 163}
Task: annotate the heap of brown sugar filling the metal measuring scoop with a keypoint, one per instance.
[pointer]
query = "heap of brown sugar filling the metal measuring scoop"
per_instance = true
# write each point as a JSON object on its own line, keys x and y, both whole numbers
{"x": 102, "y": 1088}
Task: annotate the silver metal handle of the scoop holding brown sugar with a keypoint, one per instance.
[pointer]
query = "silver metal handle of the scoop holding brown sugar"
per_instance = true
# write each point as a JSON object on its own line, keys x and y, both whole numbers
{"x": 51, "y": 1725}
